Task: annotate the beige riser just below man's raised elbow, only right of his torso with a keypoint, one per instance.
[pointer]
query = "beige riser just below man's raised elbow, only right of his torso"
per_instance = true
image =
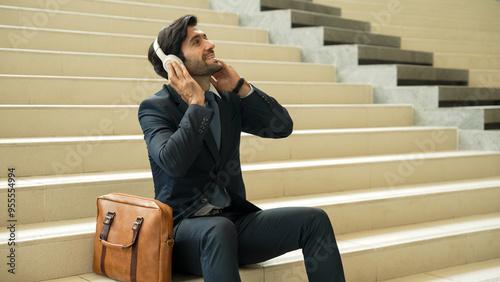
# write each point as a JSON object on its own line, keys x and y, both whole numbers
{"x": 312, "y": 146}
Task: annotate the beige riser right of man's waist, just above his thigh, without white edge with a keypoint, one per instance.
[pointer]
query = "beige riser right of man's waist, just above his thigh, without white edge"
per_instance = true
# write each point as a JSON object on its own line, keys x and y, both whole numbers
{"x": 324, "y": 179}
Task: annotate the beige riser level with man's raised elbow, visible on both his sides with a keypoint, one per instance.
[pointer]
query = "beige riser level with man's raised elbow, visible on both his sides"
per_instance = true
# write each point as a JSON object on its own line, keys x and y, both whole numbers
{"x": 26, "y": 122}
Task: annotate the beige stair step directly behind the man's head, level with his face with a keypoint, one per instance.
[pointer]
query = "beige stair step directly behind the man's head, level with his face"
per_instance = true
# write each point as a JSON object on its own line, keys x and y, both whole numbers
{"x": 97, "y": 42}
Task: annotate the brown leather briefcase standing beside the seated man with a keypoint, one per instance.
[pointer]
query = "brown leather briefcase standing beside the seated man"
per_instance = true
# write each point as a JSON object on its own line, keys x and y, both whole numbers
{"x": 134, "y": 239}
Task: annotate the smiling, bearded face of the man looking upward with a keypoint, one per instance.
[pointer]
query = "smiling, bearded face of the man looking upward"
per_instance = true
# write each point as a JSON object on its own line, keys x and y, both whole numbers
{"x": 199, "y": 53}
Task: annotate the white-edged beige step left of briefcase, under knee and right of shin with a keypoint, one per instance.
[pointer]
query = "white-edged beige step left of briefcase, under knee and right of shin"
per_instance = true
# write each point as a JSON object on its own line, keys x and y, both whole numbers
{"x": 383, "y": 250}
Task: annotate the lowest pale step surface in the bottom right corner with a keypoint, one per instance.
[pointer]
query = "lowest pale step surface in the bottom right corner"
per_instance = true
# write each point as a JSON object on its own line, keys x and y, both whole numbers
{"x": 488, "y": 270}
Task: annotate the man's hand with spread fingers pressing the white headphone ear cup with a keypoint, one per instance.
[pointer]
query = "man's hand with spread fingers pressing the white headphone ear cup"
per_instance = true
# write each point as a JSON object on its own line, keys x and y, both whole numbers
{"x": 184, "y": 84}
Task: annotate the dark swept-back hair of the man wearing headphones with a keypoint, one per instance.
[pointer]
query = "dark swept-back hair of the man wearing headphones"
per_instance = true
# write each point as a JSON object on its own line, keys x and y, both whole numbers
{"x": 170, "y": 39}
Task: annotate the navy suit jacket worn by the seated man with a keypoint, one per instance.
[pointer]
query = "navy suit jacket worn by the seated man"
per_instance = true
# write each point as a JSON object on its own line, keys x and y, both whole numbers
{"x": 184, "y": 157}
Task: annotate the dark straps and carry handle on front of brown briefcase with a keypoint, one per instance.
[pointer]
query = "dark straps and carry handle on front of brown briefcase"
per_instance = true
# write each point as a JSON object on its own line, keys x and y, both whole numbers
{"x": 108, "y": 219}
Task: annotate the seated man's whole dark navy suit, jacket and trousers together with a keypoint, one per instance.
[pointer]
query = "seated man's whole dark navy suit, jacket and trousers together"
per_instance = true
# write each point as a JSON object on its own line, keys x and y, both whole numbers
{"x": 187, "y": 167}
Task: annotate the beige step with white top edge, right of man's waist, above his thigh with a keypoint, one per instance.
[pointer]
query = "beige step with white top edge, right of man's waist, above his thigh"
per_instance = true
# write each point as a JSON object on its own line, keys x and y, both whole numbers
{"x": 340, "y": 174}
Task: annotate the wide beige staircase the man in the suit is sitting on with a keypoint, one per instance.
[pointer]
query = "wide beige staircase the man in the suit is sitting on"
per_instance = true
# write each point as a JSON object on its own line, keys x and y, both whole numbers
{"x": 402, "y": 198}
